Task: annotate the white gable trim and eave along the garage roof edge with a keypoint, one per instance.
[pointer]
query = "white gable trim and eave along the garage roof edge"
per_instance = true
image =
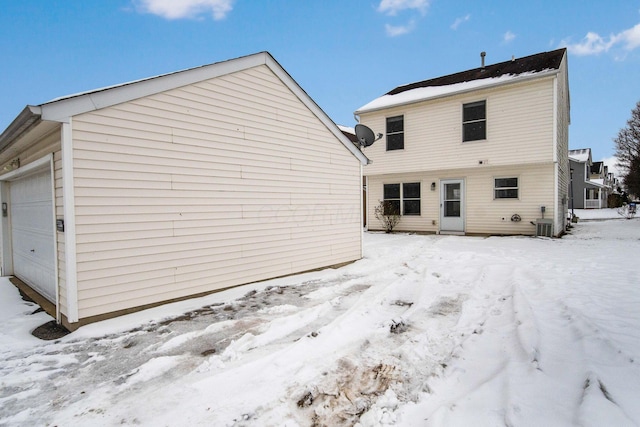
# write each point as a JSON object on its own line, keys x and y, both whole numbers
{"x": 63, "y": 108}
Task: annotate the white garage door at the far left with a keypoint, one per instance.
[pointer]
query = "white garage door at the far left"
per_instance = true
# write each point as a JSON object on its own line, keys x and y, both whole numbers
{"x": 32, "y": 232}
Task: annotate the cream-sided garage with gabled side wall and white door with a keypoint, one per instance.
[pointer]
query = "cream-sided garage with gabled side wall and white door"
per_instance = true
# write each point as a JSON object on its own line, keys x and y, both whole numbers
{"x": 175, "y": 186}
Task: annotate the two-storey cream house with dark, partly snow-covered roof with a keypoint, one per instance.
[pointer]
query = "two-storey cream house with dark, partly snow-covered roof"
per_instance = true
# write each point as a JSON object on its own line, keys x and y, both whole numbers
{"x": 483, "y": 151}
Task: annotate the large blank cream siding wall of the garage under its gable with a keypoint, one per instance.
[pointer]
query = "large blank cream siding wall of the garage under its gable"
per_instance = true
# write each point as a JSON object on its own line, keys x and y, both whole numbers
{"x": 216, "y": 184}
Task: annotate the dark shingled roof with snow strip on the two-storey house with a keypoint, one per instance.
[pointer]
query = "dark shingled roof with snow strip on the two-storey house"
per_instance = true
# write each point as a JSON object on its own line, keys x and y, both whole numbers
{"x": 515, "y": 70}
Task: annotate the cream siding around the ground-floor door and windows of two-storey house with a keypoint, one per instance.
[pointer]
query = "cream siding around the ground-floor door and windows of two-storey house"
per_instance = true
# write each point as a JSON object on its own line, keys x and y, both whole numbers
{"x": 483, "y": 213}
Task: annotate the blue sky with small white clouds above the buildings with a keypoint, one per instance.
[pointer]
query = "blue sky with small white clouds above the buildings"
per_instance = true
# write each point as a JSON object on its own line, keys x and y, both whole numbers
{"x": 343, "y": 53}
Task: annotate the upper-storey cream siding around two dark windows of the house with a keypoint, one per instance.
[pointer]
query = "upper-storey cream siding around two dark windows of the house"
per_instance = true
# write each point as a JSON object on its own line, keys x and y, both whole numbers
{"x": 519, "y": 131}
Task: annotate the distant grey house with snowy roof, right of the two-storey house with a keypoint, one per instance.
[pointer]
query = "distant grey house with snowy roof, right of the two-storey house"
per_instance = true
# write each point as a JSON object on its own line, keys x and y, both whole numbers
{"x": 588, "y": 183}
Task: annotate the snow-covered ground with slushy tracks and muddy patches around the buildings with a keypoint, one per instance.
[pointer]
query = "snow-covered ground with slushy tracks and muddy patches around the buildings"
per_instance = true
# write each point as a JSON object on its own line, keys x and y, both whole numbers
{"x": 424, "y": 331}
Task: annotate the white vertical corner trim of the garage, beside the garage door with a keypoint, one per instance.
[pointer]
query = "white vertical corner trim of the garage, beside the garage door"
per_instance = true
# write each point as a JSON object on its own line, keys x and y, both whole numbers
{"x": 68, "y": 196}
